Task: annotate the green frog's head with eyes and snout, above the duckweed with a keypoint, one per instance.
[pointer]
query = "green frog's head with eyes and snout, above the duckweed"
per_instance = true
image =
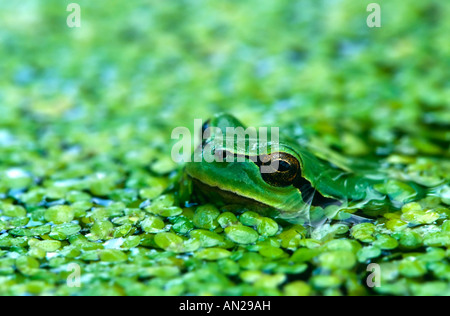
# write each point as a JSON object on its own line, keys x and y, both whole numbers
{"x": 263, "y": 173}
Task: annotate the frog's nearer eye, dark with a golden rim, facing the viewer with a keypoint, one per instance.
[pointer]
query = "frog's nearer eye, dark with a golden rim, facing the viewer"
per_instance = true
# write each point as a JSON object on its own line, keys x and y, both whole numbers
{"x": 282, "y": 168}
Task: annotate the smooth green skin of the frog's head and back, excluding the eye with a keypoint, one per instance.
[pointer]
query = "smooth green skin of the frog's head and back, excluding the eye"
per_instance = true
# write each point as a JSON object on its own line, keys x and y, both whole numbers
{"x": 319, "y": 181}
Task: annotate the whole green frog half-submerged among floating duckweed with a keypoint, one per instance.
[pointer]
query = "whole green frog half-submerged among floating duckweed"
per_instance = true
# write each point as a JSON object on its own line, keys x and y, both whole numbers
{"x": 299, "y": 184}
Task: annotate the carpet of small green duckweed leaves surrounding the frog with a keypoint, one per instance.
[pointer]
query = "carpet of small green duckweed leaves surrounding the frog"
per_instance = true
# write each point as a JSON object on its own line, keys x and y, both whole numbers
{"x": 86, "y": 176}
